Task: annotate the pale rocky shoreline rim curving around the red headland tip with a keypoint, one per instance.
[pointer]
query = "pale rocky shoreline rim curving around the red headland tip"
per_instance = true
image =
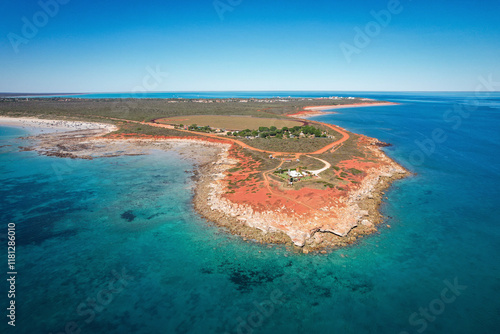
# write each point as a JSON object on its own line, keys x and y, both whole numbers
{"x": 358, "y": 217}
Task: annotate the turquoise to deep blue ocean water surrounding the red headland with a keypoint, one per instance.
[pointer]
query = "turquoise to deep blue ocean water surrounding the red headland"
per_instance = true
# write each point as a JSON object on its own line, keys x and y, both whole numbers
{"x": 113, "y": 245}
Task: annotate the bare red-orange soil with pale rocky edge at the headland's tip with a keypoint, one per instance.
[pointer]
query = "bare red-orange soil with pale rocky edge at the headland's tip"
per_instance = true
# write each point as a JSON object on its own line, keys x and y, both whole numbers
{"x": 314, "y": 218}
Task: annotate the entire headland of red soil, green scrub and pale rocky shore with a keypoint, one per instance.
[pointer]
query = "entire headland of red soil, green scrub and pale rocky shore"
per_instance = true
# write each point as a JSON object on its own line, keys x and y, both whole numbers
{"x": 264, "y": 172}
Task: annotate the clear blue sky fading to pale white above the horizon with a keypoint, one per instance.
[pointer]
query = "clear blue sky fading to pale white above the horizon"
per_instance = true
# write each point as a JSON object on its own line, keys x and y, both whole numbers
{"x": 107, "y": 46}
